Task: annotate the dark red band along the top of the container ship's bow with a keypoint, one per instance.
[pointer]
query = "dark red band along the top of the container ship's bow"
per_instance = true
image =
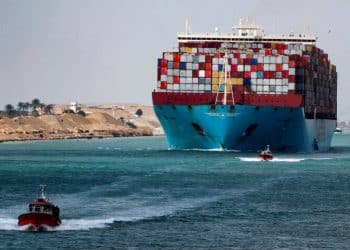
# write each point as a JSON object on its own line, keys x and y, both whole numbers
{"x": 291, "y": 99}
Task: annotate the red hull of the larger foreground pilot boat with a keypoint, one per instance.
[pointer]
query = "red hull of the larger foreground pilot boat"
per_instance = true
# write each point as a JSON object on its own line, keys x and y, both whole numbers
{"x": 38, "y": 220}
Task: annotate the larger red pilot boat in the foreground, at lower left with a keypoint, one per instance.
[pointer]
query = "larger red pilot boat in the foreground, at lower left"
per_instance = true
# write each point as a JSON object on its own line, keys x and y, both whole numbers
{"x": 41, "y": 214}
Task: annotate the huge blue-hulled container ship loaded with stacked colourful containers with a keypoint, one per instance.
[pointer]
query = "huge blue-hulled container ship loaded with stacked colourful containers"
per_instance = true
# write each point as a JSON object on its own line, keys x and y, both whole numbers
{"x": 244, "y": 90}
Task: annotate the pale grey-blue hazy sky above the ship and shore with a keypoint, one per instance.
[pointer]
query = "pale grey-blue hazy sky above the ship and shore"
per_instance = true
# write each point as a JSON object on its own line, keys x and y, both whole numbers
{"x": 105, "y": 51}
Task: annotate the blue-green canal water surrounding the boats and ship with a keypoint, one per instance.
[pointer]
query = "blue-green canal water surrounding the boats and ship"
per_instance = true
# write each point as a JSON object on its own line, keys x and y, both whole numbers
{"x": 134, "y": 193}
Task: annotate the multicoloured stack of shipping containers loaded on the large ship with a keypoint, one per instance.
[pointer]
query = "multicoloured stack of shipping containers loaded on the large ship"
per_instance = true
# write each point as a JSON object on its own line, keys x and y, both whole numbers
{"x": 262, "y": 68}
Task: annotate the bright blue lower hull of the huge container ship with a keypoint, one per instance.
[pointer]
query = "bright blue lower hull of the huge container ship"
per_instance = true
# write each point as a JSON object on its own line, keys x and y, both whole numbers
{"x": 243, "y": 127}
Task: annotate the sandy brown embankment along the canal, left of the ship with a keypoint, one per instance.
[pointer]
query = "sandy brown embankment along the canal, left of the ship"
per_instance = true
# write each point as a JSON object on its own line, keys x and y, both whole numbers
{"x": 99, "y": 122}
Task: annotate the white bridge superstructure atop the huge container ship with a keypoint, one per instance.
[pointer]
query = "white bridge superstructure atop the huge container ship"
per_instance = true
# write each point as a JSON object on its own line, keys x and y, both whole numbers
{"x": 245, "y": 32}
